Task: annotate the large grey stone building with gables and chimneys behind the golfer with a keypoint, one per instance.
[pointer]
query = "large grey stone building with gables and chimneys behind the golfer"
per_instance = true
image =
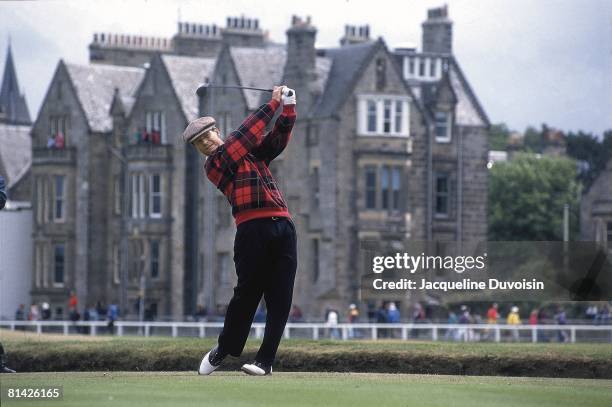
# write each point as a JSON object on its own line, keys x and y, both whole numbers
{"x": 390, "y": 145}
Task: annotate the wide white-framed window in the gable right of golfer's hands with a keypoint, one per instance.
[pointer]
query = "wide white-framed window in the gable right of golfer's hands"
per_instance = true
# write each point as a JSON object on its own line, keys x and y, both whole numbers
{"x": 383, "y": 115}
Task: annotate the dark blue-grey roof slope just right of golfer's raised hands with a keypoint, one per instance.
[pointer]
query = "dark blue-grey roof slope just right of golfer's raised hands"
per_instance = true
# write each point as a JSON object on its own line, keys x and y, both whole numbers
{"x": 346, "y": 64}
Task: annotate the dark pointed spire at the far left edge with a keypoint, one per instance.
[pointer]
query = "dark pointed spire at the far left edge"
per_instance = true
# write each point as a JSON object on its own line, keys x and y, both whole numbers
{"x": 13, "y": 106}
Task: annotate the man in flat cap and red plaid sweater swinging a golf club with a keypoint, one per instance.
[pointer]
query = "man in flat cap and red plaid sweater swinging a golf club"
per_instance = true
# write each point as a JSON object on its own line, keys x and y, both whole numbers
{"x": 265, "y": 251}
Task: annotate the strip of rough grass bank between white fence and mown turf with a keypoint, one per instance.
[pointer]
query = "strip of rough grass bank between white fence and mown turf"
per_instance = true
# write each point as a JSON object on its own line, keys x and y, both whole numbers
{"x": 30, "y": 353}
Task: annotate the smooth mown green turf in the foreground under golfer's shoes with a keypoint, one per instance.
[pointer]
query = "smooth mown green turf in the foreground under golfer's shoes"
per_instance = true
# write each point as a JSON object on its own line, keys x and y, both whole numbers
{"x": 307, "y": 389}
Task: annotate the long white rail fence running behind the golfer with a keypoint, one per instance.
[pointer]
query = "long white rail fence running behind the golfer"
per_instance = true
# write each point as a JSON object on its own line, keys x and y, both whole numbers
{"x": 432, "y": 332}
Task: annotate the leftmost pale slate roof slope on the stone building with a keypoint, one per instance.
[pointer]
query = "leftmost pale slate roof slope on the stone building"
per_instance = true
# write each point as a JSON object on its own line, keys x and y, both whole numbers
{"x": 95, "y": 86}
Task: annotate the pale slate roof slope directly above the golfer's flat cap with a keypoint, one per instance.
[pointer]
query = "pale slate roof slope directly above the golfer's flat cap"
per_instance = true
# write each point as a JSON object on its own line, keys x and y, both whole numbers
{"x": 185, "y": 74}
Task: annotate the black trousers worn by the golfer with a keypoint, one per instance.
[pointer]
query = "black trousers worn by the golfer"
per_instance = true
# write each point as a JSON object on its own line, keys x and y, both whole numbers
{"x": 265, "y": 255}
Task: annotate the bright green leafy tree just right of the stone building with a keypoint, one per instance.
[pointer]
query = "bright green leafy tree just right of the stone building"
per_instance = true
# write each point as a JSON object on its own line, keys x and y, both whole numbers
{"x": 527, "y": 195}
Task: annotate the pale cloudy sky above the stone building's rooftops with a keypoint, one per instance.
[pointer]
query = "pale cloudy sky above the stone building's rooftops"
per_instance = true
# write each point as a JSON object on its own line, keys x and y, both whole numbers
{"x": 529, "y": 62}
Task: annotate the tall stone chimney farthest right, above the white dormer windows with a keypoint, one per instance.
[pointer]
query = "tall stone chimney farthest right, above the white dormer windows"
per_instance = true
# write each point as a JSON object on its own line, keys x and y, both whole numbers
{"x": 437, "y": 31}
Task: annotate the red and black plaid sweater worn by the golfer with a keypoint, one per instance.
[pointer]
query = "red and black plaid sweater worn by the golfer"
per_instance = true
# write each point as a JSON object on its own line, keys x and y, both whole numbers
{"x": 239, "y": 167}
